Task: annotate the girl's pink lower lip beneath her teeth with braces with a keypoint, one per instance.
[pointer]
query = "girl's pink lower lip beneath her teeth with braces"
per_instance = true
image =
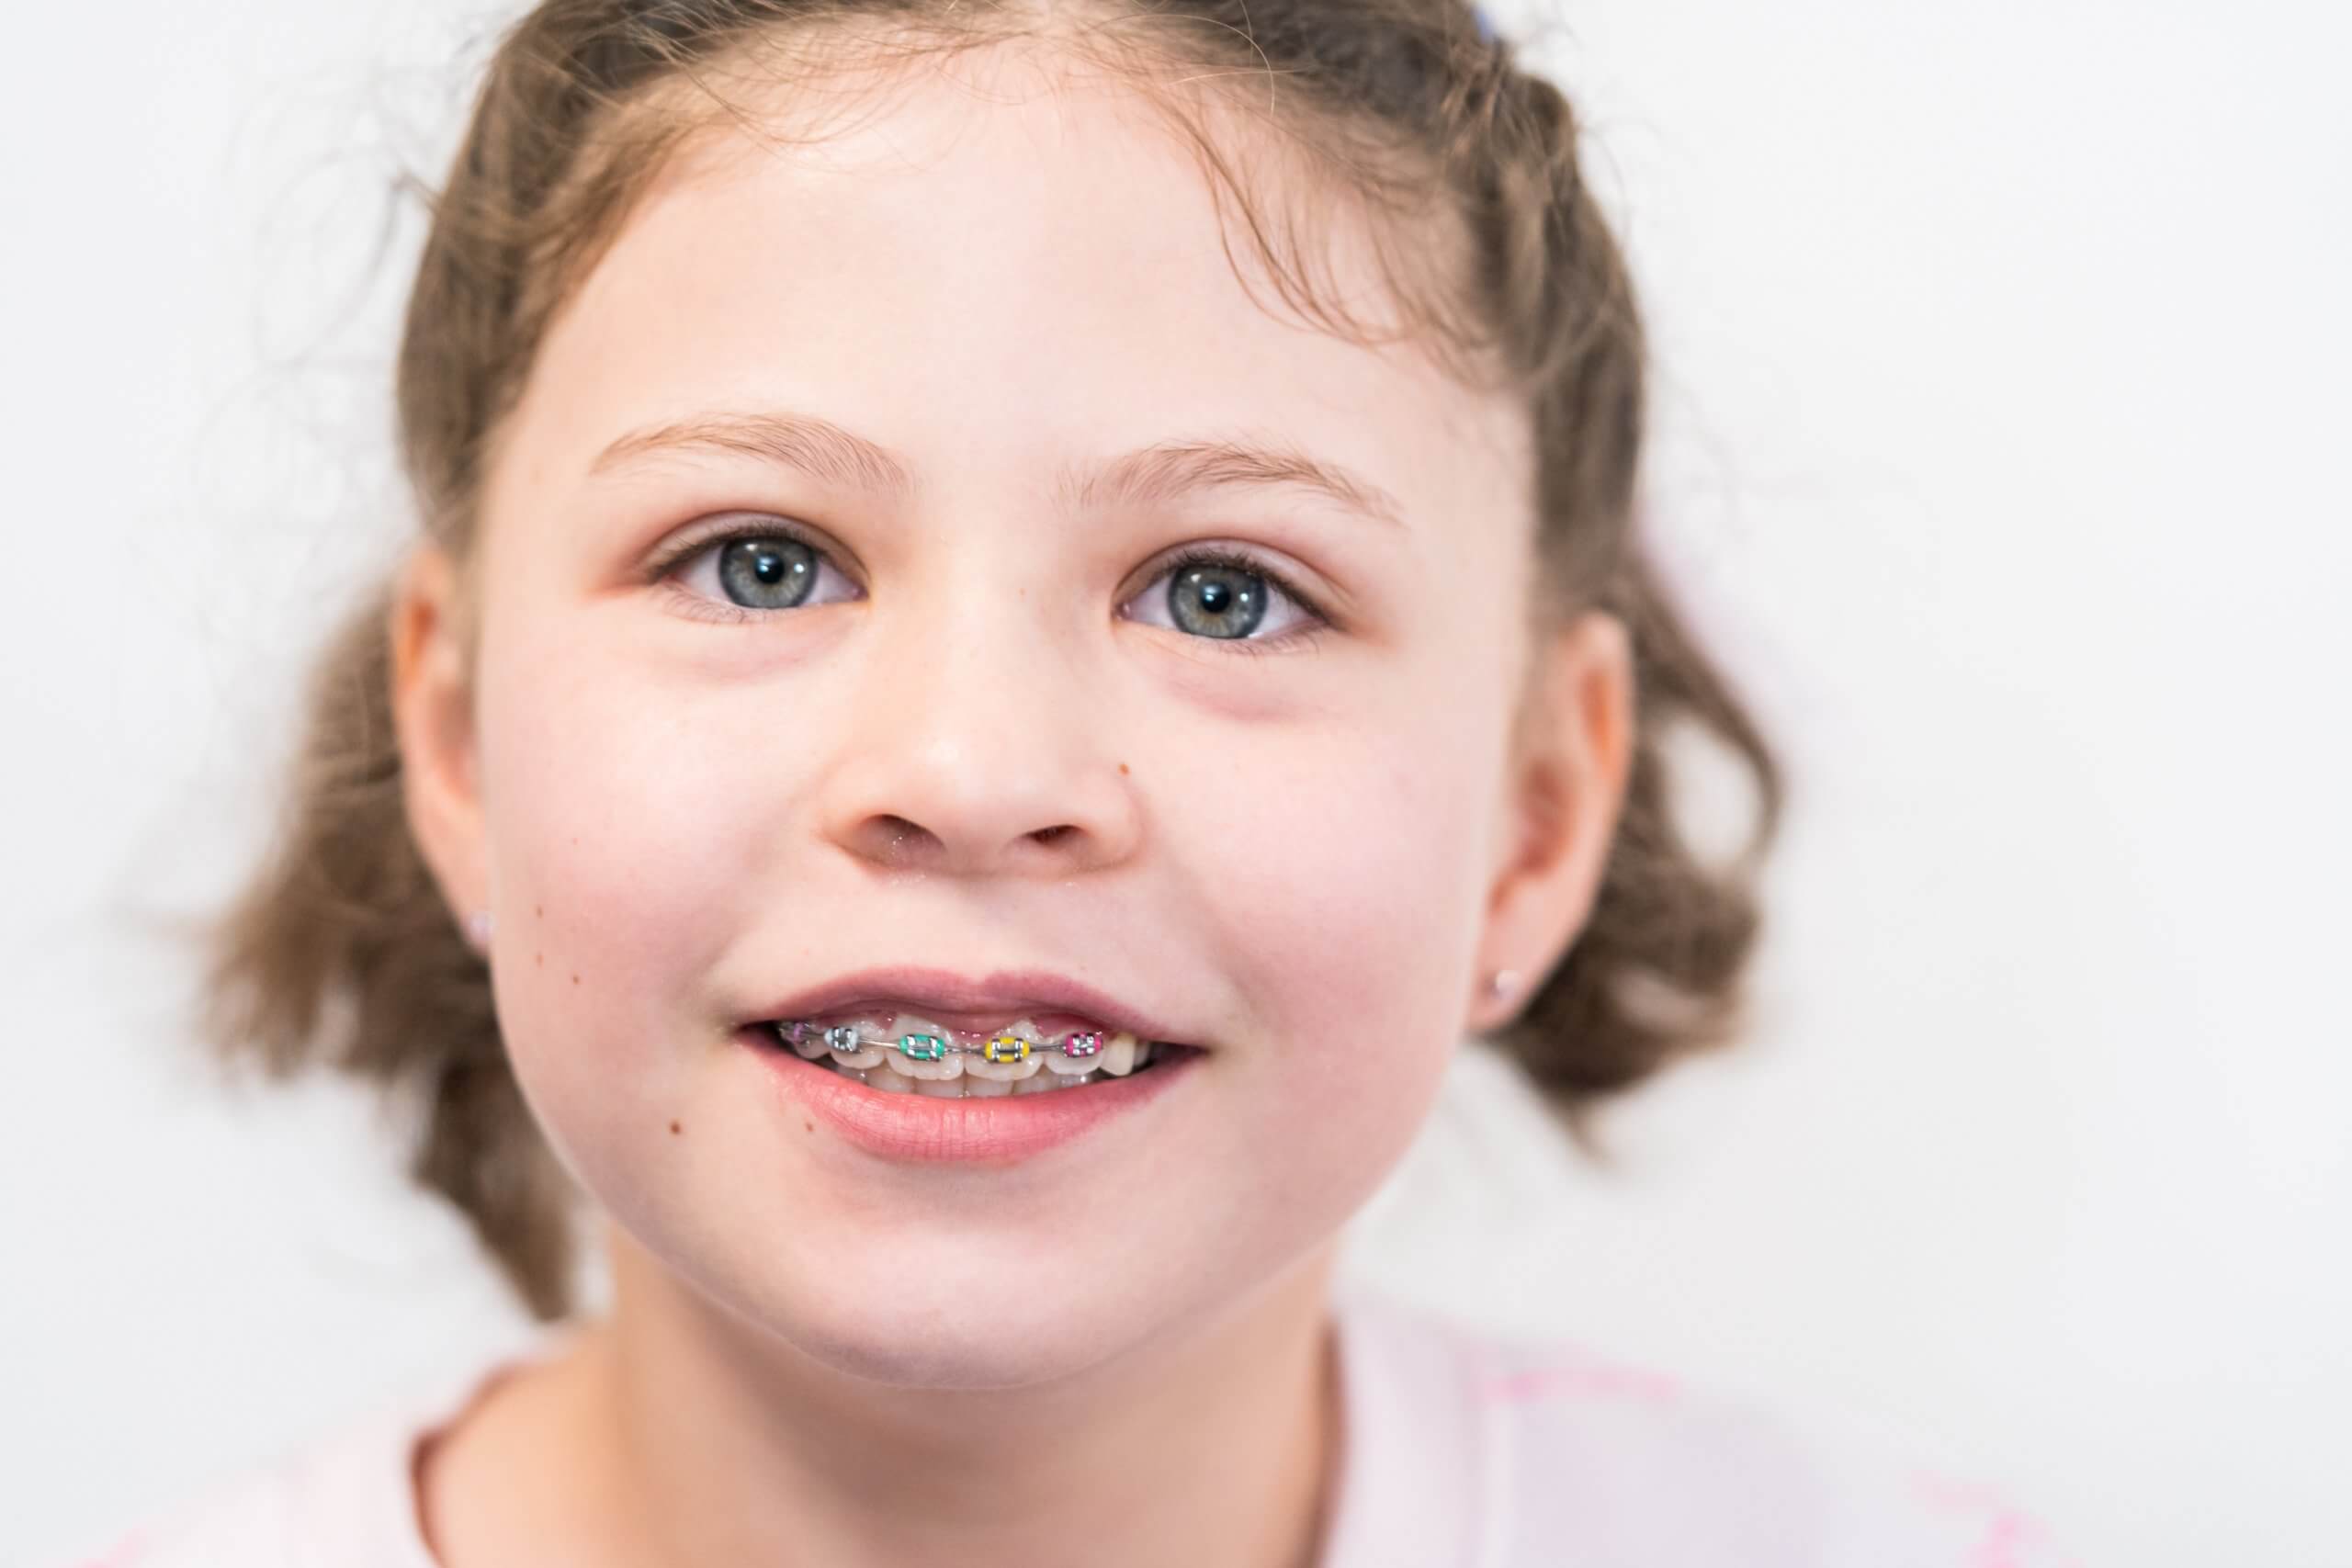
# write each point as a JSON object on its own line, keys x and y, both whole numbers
{"x": 996, "y": 1130}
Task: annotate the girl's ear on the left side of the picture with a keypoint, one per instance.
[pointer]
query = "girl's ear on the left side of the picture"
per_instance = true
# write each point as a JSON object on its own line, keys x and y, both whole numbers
{"x": 434, "y": 721}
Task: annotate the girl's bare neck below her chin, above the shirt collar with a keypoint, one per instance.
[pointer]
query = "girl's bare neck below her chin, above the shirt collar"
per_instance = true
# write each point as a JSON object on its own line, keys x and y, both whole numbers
{"x": 728, "y": 1445}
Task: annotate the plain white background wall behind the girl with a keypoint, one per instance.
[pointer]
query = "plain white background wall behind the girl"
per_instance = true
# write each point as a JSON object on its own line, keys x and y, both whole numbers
{"x": 2003, "y": 415}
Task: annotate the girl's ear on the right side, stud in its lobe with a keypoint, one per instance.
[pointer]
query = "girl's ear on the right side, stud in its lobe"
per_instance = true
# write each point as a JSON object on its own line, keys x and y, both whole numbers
{"x": 1561, "y": 808}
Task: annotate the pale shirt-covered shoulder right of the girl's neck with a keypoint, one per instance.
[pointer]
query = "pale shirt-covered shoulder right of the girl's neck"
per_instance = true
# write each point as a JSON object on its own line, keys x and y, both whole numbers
{"x": 1570, "y": 1454}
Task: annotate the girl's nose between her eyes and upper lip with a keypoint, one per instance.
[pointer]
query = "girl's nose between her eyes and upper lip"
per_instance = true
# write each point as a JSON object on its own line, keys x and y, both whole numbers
{"x": 982, "y": 744}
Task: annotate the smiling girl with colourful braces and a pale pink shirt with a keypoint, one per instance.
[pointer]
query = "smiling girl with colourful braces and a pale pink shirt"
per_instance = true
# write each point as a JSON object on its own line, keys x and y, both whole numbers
{"x": 1024, "y": 617}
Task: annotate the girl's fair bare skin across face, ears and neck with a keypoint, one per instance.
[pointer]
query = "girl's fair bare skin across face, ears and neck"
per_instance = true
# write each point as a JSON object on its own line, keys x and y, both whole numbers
{"x": 982, "y": 744}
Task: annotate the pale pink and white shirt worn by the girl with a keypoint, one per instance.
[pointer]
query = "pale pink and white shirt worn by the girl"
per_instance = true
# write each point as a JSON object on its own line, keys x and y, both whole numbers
{"x": 1459, "y": 1452}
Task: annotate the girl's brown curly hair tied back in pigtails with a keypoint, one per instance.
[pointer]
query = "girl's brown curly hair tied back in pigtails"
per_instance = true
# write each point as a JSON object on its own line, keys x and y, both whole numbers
{"x": 342, "y": 949}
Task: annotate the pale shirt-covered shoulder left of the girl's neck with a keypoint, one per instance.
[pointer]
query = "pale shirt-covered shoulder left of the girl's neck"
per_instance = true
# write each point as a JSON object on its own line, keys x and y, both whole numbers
{"x": 345, "y": 1496}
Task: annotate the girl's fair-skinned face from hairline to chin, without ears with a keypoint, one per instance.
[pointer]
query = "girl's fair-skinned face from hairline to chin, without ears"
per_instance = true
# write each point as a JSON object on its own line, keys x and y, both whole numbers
{"x": 996, "y": 732}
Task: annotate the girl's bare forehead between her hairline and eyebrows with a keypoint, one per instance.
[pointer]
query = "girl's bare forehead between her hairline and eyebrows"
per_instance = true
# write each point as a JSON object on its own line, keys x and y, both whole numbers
{"x": 1001, "y": 260}
